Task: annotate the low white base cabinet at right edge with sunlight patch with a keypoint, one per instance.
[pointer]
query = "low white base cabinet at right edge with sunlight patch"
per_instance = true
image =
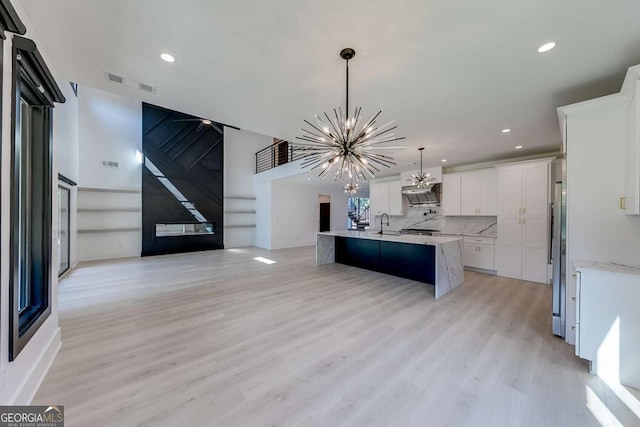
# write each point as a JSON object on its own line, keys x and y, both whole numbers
{"x": 608, "y": 320}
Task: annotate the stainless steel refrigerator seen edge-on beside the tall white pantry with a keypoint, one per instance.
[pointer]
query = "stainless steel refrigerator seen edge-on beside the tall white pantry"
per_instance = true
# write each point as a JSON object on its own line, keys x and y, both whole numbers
{"x": 559, "y": 256}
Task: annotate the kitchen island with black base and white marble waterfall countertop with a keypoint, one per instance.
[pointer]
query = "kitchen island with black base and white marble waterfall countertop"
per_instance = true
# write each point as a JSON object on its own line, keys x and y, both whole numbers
{"x": 430, "y": 259}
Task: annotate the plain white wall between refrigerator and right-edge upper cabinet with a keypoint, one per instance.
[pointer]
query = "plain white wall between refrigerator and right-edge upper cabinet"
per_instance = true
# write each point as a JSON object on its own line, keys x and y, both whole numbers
{"x": 597, "y": 229}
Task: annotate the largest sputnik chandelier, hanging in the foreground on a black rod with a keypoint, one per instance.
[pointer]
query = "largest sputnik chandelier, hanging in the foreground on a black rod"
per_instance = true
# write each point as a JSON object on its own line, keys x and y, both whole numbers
{"x": 347, "y": 146}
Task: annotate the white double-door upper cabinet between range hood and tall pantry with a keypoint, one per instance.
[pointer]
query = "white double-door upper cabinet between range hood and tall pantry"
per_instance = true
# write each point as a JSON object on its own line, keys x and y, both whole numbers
{"x": 471, "y": 193}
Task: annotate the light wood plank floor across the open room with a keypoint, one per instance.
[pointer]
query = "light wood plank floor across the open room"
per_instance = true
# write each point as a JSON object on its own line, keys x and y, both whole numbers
{"x": 219, "y": 339}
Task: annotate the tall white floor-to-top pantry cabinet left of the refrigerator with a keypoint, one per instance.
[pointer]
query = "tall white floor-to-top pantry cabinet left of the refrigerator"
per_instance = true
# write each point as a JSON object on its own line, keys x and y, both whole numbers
{"x": 523, "y": 220}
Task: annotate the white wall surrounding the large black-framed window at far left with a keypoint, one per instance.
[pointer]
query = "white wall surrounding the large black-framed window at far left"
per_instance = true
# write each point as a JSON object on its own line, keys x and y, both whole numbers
{"x": 20, "y": 379}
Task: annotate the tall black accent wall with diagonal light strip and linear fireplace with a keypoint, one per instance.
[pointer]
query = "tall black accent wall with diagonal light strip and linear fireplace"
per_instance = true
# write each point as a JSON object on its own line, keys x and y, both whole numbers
{"x": 192, "y": 160}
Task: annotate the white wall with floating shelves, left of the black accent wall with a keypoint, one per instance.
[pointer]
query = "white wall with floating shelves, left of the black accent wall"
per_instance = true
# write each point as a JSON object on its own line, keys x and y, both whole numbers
{"x": 110, "y": 129}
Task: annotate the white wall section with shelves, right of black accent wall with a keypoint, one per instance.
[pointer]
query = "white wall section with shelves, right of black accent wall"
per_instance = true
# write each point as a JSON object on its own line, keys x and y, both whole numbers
{"x": 239, "y": 168}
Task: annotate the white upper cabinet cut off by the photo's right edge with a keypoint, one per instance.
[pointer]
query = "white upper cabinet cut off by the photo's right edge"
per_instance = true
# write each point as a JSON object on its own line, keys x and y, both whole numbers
{"x": 631, "y": 88}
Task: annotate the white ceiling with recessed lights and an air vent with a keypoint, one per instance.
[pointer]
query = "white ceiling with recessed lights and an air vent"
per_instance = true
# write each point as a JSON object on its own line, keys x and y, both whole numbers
{"x": 452, "y": 73}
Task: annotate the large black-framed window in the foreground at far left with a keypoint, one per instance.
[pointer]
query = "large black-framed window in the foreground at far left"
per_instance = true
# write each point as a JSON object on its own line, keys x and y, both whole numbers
{"x": 33, "y": 83}
